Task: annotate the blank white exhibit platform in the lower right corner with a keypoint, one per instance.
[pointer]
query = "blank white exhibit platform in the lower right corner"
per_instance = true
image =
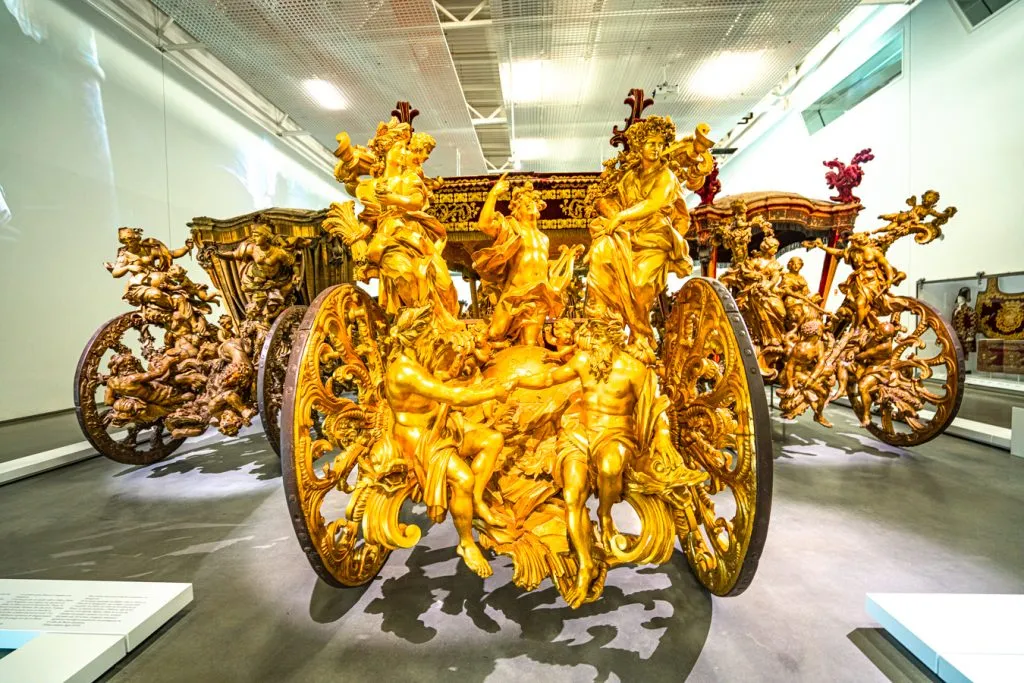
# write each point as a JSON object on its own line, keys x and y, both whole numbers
{"x": 962, "y": 638}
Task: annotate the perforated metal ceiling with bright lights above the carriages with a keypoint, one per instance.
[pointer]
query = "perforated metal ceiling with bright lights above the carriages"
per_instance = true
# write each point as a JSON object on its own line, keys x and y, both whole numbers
{"x": 551, "y": 72}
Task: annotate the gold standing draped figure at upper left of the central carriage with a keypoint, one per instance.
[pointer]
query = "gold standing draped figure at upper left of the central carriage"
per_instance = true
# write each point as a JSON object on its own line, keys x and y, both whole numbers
{"x": 394, "y": 238}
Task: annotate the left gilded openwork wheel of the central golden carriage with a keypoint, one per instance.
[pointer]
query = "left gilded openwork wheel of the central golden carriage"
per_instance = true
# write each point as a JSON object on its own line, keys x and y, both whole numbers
{"x": 326, "y": 435}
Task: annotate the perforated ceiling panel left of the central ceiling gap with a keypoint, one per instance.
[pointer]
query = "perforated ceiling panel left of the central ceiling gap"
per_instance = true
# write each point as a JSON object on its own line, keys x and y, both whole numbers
{"x": 374, "y": 53}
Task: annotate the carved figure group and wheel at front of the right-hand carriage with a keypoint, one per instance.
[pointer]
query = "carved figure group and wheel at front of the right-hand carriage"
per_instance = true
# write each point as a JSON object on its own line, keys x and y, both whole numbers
{"x": 878, "y": 349}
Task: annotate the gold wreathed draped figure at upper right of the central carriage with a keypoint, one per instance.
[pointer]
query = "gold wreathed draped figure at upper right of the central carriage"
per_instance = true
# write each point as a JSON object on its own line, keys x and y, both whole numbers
{"x": 642, "y": 220}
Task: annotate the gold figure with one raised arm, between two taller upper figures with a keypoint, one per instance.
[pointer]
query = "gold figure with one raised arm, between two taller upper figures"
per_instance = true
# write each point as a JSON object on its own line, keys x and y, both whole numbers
{"x": 529, "y": 287}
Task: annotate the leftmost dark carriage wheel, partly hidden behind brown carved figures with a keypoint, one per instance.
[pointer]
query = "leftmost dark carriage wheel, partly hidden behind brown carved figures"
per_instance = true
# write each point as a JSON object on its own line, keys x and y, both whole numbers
{"x": 142, "y": 444}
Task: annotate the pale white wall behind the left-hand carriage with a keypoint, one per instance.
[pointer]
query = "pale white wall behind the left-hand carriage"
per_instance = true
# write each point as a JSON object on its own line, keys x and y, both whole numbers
{"x": 97, "y": 133}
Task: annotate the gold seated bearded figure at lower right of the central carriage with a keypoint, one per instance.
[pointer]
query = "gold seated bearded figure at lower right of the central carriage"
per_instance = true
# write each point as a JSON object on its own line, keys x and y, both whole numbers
{"x": 617, "y": 429}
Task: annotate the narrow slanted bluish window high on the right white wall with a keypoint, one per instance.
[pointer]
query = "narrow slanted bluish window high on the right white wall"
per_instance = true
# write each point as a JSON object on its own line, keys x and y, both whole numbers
{"x": 868, "y": 79}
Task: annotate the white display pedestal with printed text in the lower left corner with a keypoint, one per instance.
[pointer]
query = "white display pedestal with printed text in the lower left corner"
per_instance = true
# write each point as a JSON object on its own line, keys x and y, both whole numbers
{"x": 73, "y": 631}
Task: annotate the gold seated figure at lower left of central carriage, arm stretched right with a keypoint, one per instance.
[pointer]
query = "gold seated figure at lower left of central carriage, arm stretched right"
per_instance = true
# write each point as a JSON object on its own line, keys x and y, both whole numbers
{"x": 436, "y": 440}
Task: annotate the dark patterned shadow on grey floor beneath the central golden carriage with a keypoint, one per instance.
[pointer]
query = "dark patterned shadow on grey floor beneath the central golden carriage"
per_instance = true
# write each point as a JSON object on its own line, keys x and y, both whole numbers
{"x": 650, "y": 625}
